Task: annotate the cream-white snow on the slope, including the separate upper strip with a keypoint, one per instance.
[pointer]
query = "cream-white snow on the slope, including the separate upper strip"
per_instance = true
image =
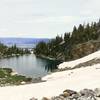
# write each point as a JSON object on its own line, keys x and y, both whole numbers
{"x": 56, "y": 83}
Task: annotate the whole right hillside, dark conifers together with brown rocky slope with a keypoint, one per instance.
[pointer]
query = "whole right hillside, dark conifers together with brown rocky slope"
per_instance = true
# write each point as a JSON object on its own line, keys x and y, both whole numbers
{"x": 83, "y": 40}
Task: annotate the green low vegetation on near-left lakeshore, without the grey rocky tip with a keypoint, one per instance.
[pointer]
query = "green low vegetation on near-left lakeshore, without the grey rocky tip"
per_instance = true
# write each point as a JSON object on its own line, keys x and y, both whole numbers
{"x": 6, "y": 78}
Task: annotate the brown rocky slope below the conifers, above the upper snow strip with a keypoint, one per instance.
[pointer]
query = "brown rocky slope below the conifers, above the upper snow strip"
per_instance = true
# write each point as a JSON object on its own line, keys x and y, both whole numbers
{"x": 84, "y": 49}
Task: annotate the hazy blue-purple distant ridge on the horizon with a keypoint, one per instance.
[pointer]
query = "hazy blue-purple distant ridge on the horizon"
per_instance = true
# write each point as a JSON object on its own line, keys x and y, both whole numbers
{"x": 22, "y": 41}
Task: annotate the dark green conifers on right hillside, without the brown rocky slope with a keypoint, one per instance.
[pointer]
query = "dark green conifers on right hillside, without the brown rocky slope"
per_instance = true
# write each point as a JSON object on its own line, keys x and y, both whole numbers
{"x": 62, "y": 45}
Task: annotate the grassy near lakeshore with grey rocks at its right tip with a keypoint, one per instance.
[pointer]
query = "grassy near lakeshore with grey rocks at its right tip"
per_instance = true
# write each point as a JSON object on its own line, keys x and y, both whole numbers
{"x": 9, "y": 77}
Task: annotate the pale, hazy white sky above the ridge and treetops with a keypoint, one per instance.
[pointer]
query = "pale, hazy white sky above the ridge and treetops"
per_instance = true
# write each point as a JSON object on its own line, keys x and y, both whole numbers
{"x": 45, "y": 18}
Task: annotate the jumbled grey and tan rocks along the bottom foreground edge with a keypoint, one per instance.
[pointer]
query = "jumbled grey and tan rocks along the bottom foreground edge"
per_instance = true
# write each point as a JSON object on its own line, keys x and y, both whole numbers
{"x": 85, "y": 94}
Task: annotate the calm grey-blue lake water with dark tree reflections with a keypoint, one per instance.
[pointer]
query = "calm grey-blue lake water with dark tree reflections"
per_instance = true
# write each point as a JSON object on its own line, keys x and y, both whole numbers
{"x": 29, "y": 65}
